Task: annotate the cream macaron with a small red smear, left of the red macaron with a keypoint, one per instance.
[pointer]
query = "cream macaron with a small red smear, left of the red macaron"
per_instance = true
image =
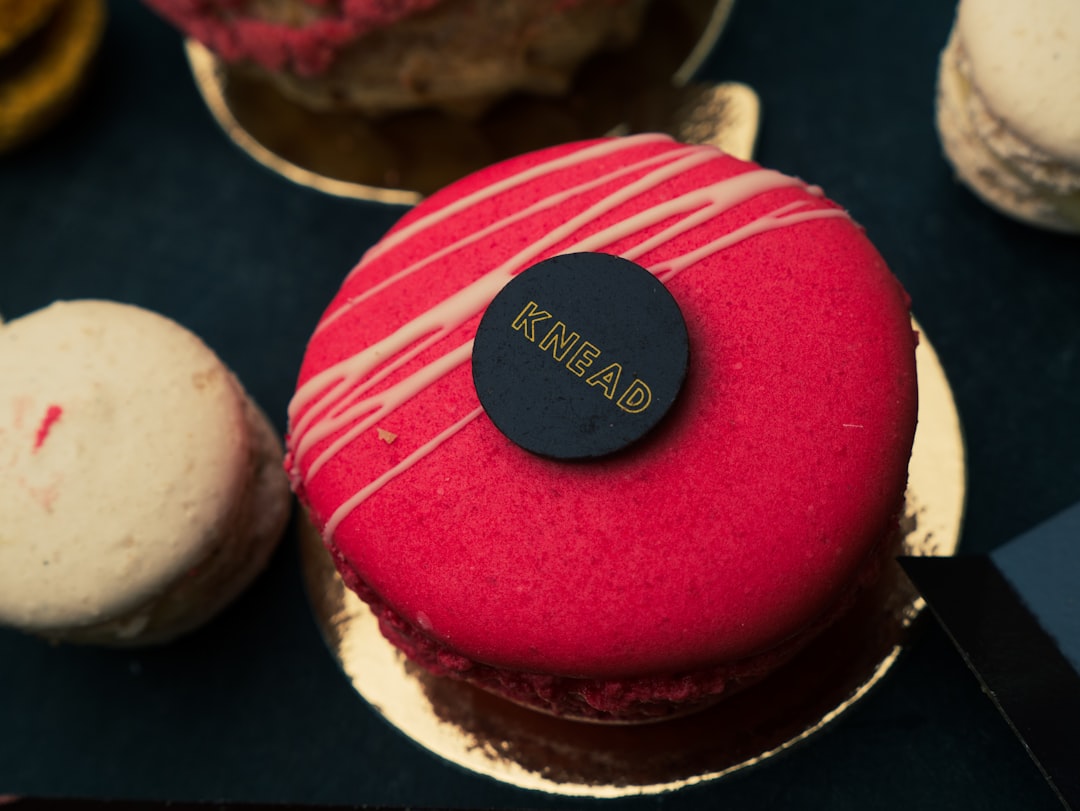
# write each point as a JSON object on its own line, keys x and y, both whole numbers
{"x": 140, "y": 486}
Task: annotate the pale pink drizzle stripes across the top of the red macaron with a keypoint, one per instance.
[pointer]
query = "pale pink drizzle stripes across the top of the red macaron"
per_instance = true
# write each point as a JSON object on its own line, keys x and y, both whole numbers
{"x": 334, "y": 398}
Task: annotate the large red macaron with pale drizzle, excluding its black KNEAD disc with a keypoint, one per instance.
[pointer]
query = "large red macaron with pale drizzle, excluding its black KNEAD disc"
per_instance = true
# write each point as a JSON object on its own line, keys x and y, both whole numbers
{"x": 692, "y": 563}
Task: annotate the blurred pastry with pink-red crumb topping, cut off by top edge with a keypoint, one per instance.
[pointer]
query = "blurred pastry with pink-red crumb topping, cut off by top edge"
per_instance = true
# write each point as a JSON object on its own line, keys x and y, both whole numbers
{"x": 384, "y": 57}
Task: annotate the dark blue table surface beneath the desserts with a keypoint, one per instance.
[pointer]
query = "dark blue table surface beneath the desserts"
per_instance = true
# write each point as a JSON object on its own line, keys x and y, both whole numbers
{"x": 140, "y": 197}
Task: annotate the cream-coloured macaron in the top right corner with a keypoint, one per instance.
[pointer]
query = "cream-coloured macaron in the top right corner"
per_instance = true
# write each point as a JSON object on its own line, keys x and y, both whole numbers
{"x": 1009, "y": 107}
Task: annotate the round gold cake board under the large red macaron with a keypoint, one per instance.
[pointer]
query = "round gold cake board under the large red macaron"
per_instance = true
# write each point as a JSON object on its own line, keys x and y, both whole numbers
{"x": 530, "y": 750}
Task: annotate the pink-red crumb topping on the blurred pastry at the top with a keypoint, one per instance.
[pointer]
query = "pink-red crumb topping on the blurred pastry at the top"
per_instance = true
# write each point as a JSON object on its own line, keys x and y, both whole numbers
{"x": 303, "y": 36}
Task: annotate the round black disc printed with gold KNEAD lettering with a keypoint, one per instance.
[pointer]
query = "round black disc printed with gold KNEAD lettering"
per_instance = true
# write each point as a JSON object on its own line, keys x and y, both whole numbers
{"x": 580, "y": 356}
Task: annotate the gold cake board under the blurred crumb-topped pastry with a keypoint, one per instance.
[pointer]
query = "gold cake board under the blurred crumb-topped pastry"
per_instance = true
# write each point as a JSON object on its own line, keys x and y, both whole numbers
{"x": 402, "y": 158}
